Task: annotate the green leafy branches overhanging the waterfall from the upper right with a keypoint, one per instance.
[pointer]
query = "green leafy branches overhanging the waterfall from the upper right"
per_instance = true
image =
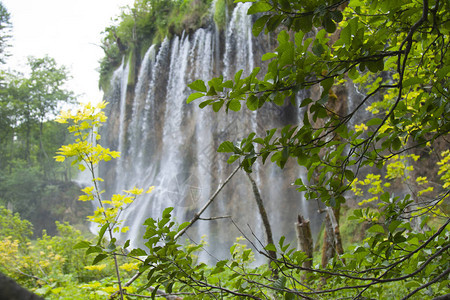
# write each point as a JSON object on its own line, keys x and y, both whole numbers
{"x": 395, "y": 52}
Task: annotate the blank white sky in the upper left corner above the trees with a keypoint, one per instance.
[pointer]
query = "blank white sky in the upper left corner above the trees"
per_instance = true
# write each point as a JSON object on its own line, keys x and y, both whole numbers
{"x": 68, "y": 31}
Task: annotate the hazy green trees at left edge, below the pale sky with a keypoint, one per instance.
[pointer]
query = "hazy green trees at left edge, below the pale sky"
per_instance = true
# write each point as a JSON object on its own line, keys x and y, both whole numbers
{"x": 31, "y": 182}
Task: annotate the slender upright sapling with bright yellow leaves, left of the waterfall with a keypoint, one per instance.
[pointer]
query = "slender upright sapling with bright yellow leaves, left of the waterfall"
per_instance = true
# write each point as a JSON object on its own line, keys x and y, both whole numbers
{"x": 87, "y": 154}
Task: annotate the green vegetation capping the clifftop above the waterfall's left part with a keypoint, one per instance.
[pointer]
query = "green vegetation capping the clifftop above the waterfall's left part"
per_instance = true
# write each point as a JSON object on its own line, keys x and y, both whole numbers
{"x": 149, "y": 22}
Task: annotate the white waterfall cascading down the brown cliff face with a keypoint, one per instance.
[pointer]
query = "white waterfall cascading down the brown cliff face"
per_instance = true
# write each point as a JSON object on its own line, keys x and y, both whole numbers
{"x": 171, "y": 145}
